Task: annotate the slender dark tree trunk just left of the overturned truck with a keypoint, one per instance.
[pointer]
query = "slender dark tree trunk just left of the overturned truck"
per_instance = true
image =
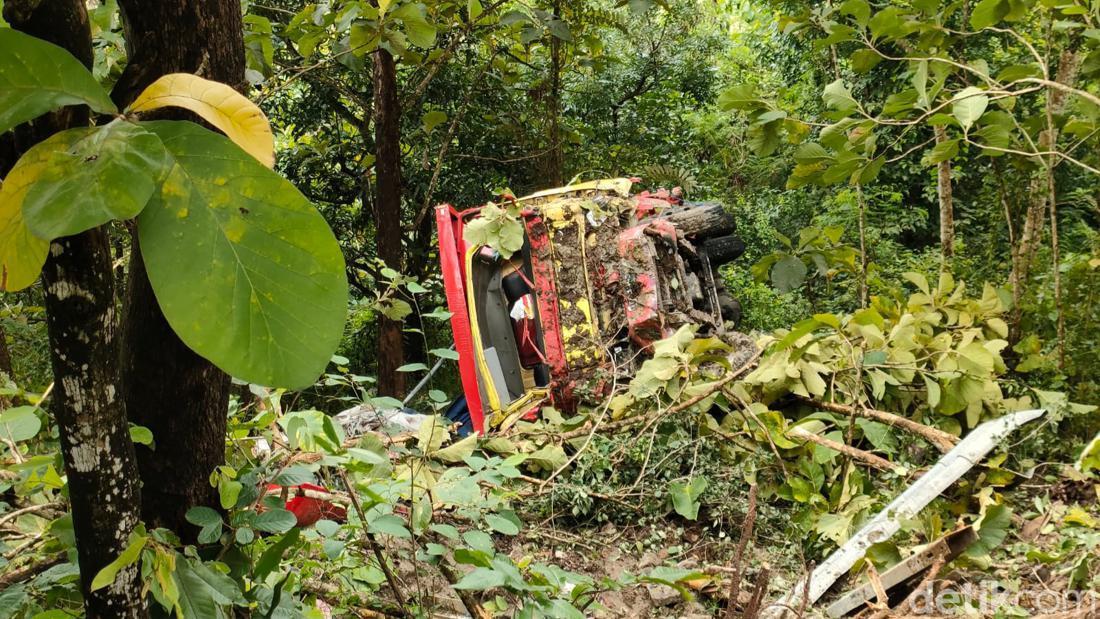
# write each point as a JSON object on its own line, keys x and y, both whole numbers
{"x": 388, "y": 213}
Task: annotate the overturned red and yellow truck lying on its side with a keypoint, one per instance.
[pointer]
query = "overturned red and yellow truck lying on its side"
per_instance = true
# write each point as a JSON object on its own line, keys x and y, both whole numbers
{"x": 601, "y": 275}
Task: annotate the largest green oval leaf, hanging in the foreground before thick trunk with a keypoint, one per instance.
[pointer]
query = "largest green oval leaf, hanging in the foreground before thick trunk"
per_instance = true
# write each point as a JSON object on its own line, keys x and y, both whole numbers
{"x": 246, "y": 270}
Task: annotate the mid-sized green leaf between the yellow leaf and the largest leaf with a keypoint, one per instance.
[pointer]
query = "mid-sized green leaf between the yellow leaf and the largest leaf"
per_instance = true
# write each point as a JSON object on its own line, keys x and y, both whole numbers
{"x": 107, "y": 174}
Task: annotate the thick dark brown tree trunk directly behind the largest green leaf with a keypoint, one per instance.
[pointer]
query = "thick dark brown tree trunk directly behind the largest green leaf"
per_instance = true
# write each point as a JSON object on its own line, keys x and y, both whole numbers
{"x": 170, "y": 390}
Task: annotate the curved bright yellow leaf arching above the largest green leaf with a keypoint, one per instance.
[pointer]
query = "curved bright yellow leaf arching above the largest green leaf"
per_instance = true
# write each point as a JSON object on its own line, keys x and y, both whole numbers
{"x": 219, "y": 105}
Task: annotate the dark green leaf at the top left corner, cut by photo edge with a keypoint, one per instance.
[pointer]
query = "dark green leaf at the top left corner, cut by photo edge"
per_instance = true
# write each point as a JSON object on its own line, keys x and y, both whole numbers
{"x": 38, "y": 78}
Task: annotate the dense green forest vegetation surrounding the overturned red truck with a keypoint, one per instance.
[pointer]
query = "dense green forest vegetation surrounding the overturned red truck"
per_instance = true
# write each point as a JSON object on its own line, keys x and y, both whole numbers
{"x": 917, "y": 183}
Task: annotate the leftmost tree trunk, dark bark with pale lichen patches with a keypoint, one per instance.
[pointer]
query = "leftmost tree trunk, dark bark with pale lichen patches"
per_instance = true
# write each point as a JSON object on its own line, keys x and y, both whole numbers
{"x": 82, "y": 325}
